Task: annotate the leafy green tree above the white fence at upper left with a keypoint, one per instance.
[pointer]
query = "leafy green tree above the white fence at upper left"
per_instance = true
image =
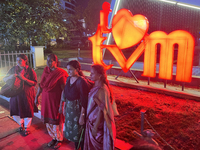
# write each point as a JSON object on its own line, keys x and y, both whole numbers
{"x": 38, "y": 20}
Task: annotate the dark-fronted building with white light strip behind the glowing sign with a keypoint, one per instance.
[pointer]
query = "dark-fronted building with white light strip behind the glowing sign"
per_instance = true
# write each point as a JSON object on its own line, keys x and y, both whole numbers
{"x": 165, "y": 15}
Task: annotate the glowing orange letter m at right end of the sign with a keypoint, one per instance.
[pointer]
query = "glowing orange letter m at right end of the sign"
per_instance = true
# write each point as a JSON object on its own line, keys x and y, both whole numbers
{"x": 185, "y": 43}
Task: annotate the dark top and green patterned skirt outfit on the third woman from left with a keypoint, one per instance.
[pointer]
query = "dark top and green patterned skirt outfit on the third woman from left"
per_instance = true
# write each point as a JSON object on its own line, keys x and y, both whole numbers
{"x": 76, "y": 96}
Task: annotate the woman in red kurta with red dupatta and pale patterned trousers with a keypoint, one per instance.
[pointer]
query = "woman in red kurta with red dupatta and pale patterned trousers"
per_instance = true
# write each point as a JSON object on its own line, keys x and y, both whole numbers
{"x": 52, "y": 83}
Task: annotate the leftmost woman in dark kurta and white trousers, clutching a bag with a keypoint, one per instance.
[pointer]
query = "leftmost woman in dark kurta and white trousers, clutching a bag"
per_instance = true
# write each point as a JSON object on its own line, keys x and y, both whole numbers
{"x": 25, "y": 99}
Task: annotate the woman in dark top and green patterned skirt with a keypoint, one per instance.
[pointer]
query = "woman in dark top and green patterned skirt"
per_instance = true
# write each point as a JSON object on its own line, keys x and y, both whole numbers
{"x": 74, "y": 100}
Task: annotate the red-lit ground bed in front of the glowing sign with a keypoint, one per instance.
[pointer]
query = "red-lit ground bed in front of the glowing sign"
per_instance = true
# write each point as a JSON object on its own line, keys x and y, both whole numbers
{"x": 176, "y": 120}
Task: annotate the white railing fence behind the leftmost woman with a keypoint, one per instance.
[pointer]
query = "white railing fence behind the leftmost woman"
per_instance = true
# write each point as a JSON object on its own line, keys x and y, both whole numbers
{"x": 8, "y": 59}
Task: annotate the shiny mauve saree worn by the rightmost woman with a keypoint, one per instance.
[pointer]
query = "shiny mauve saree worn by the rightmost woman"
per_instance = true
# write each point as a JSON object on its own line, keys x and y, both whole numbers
{"x": 99, "y": 98}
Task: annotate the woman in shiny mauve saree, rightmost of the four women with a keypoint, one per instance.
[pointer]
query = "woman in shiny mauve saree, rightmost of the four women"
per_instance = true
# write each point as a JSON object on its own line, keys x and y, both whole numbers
{"x": 100, "y": 130}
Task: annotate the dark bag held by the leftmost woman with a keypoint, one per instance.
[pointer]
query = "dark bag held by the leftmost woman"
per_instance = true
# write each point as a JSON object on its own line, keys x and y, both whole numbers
{"x": 12, "y": 87}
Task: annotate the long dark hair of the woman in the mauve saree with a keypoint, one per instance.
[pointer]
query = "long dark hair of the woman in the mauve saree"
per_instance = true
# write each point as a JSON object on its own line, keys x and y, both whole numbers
{"x": 100, "y": 70}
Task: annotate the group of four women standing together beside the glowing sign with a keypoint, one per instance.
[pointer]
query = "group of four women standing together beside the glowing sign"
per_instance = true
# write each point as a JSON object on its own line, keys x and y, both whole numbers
{"x": 85, "y": 107}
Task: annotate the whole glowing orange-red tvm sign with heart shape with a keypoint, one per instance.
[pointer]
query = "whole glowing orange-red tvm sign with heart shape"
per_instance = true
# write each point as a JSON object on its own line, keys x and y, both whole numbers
{"x": 129, "y": 30}
